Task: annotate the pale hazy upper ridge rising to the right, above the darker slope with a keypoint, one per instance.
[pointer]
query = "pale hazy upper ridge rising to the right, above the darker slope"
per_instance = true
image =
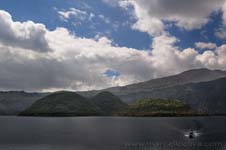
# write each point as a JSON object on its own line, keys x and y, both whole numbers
{"x": 126, "y": 93}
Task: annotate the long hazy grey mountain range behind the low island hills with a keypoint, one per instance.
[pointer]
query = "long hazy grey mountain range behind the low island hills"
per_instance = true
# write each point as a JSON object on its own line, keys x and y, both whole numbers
{"x": 203, "y": 89}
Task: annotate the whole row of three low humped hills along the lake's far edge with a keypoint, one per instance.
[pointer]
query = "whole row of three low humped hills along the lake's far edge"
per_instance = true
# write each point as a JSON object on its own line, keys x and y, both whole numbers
{"x": 105, "y": 104}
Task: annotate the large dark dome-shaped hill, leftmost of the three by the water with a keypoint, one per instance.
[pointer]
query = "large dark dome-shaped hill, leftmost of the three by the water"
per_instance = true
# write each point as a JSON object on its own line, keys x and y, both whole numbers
{"x": 62, "y": 104}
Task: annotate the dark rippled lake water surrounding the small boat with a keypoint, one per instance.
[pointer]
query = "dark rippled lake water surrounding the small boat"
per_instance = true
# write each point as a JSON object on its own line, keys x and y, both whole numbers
{"x": 111, "y": 133}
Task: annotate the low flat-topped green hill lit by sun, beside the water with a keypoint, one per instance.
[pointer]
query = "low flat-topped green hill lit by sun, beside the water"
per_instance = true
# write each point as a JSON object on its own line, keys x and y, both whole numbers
{"x": 158, "y": 107}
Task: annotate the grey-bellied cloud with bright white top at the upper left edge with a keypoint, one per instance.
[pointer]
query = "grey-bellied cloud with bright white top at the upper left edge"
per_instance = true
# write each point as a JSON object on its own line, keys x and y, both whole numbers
{"x": 27, "y": 35}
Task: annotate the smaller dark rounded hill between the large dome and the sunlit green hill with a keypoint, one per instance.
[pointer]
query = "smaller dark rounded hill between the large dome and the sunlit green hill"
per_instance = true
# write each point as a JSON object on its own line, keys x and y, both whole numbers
{"x": 108, "y": 103}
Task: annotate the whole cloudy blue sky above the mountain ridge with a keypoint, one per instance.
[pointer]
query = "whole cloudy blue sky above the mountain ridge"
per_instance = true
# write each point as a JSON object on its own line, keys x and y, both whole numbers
{"x": 82, "y": 45}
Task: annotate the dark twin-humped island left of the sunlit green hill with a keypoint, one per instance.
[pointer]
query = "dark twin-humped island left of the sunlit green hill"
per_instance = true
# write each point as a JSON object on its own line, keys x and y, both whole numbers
{"x": 72, "y": 104}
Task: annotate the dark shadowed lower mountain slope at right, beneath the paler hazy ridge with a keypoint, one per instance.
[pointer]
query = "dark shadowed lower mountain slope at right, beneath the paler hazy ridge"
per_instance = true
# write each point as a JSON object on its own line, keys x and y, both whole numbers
{"x": 205, "y": 96}
